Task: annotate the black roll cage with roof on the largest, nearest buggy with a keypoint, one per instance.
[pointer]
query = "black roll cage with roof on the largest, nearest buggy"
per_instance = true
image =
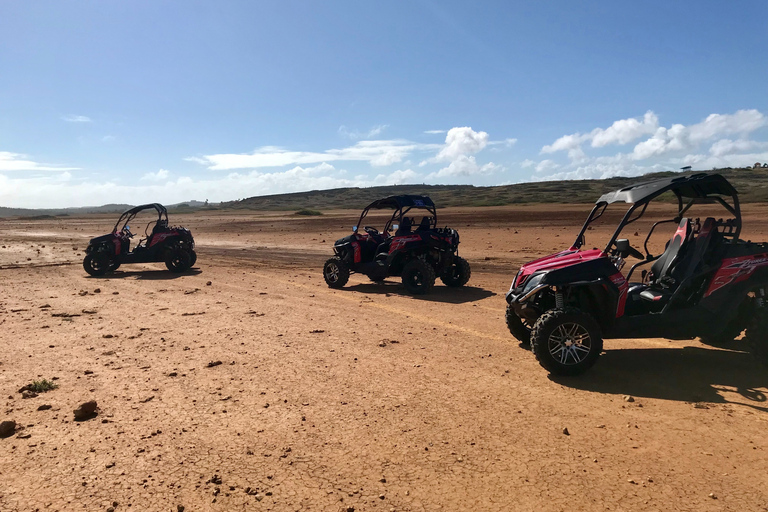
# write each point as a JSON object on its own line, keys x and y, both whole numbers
{"x": 698, "y": 188}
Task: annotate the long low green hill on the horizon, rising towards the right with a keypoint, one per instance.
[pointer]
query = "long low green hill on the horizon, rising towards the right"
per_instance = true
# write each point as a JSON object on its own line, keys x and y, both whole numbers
{"x": 752, "y": 185}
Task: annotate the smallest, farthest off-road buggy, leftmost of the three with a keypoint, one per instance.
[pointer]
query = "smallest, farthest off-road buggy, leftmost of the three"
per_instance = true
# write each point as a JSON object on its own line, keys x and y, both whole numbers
{"x": 161, "y": 243}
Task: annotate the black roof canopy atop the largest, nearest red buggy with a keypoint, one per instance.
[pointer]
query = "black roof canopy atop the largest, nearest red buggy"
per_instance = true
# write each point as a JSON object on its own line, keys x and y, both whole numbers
{"x": 696, "y": 186}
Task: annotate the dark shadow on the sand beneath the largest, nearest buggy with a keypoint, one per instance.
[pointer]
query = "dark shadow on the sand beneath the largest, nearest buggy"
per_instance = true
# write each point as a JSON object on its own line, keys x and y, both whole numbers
{"x": 688, "y": 374}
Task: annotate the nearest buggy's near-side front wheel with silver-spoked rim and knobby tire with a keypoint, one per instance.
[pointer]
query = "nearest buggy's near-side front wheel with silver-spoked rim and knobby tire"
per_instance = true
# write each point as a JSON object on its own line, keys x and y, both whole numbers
{"x": 566, "y": 341}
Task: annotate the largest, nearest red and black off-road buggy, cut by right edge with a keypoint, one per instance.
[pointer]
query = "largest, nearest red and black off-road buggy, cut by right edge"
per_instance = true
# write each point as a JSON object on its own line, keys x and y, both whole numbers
{"x": 707, "y": 283}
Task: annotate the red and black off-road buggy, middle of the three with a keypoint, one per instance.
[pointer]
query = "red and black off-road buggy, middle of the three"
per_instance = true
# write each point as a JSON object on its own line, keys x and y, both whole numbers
{"x": 418, "y": 252}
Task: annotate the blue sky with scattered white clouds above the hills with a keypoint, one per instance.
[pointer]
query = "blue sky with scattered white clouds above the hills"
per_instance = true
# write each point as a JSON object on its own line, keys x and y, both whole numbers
{"x": 139, "y": 101}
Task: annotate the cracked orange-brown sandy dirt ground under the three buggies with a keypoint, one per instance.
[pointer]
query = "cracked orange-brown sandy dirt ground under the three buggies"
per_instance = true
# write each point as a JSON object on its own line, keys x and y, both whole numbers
{"x": 358, "y": 399}
